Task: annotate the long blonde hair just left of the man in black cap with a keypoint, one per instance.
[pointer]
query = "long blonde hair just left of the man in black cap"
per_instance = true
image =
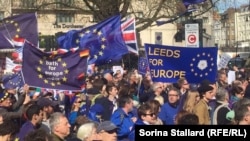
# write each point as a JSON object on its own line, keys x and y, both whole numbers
{"x": 190, "y": 100}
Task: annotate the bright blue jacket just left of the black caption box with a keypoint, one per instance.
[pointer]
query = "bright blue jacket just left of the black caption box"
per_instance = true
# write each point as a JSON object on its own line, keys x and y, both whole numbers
{"x": 123, "y": 122}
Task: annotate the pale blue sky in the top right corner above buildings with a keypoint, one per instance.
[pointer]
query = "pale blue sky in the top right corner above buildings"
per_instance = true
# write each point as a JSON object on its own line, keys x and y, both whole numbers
{"x": 225, "y": 4}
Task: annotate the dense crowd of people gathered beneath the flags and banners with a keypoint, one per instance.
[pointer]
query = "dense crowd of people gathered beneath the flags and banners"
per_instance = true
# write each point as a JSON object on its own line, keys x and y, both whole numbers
{"x": 115, "y": 102}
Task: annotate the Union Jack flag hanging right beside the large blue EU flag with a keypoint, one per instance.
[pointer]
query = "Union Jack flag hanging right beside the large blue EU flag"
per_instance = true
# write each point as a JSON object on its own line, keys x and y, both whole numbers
{"x": 129, "y": 35}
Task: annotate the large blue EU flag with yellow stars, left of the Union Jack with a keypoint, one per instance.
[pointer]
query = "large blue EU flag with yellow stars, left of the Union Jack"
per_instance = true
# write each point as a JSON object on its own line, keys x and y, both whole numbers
{"x": 104, "y": 40}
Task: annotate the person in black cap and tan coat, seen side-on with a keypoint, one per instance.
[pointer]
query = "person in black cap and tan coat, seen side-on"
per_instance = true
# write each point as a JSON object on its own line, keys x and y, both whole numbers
{"x": 201, "y": 109}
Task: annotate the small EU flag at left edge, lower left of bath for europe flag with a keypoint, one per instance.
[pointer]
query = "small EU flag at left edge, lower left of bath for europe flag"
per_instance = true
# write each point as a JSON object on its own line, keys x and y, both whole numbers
{"x": 13, "y": 81}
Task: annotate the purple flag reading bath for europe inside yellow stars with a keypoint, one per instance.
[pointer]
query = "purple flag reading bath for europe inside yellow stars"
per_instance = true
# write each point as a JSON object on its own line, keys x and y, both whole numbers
{"x": 59, "y": 71}
